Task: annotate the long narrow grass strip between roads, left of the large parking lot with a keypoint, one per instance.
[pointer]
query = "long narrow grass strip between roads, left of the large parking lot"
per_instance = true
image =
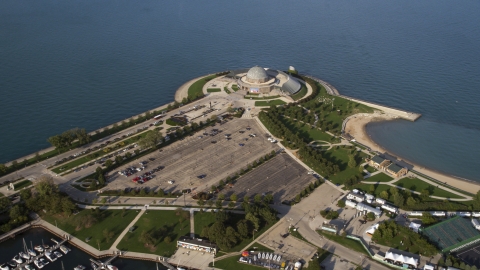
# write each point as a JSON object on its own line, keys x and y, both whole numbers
{"x": 95, "y": 155}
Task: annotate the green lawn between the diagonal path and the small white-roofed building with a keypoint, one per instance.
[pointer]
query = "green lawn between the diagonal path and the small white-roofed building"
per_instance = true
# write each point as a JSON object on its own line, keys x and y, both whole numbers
{"x": 161, "y": 224}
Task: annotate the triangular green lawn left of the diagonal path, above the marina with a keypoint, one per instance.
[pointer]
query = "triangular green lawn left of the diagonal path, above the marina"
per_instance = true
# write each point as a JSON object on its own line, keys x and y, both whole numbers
{"x": 111, "y": 220}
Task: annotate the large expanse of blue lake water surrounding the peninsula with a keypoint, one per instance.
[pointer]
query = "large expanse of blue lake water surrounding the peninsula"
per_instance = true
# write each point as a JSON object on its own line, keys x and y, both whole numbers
{"x": 90, "y": 63}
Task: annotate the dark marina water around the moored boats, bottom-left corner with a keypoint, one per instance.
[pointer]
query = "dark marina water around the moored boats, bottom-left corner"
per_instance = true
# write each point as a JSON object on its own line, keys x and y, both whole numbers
{"x": 34, "y": 237}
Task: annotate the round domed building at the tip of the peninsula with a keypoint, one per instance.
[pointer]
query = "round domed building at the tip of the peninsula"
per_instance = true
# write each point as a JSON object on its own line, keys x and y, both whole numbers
{"x": 258, "y": 80}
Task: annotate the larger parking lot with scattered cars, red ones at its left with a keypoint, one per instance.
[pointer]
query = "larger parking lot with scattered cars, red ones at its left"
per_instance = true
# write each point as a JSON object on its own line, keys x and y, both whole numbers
{"x": 201, "y": 160}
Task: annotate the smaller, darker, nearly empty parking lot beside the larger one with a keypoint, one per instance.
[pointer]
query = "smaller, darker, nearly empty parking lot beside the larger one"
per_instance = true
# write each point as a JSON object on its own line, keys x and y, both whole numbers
{"x": 281, "y": 176}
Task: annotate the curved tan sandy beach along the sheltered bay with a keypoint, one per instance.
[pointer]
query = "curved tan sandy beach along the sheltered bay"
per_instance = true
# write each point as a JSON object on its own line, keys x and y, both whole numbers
{"x": 356, "y": 128}
